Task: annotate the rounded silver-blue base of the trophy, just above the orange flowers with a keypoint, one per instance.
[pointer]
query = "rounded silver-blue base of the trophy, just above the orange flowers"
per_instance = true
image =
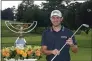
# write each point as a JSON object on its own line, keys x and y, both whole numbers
{"x": 20, "y": 42}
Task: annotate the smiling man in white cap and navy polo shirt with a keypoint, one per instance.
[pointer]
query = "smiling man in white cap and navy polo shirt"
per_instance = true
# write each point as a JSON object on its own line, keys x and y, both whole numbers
{"x": 55, "y": 37}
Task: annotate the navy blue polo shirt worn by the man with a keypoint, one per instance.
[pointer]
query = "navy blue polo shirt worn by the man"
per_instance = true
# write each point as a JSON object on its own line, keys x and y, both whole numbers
{"x": 55, "y": 40}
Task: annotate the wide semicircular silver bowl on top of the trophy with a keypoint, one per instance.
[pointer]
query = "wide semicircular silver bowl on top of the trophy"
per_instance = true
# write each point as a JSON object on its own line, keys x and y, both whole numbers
{"x": 21, "y": 27}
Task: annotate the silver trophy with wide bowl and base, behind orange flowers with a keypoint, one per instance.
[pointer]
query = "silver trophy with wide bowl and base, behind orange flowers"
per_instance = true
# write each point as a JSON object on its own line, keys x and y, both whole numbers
{"x": 20, "y": 28}
